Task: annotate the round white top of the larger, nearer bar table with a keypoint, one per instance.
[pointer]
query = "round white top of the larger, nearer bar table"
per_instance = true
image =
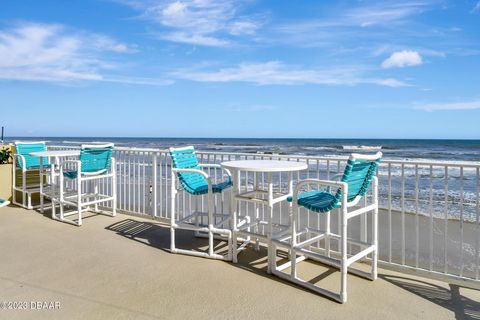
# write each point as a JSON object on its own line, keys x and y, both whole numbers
{"x": 265, "y": 165}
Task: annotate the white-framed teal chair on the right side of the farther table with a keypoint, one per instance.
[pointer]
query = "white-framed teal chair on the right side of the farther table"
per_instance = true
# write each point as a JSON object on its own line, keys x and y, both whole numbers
{"x": 96, "y": 163}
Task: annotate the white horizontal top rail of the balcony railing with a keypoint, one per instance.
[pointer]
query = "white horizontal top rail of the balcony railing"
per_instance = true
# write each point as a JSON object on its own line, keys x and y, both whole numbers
{"x": 465, "y": 164}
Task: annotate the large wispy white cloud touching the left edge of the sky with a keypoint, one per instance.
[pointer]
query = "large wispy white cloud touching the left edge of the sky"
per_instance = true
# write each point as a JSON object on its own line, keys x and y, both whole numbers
{"x": 46, "y": 52}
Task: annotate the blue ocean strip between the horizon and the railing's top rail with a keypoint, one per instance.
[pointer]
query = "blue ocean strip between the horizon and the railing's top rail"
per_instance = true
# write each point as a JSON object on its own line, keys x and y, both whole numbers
{"x": 449, "y": 150}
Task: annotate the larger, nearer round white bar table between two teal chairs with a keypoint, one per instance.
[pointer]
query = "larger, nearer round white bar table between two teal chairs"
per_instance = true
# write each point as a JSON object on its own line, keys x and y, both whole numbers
{"x": 258, "y": 166}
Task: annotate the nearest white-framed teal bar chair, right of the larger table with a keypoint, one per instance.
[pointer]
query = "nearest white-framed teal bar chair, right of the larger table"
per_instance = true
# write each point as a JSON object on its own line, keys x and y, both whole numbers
{"x": 355, "y": 182}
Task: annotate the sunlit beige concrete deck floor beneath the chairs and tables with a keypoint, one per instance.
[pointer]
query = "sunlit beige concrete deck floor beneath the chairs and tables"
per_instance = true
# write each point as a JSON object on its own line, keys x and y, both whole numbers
{"x": 119, "y": 268}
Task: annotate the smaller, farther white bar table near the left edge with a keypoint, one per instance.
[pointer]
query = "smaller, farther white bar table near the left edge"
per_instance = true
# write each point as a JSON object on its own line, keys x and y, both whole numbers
{"x": 56, "y": 154}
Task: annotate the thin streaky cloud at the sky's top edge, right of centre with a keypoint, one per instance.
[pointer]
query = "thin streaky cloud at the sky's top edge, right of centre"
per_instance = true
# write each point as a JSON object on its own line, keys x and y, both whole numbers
{"x": 351, "y": 27}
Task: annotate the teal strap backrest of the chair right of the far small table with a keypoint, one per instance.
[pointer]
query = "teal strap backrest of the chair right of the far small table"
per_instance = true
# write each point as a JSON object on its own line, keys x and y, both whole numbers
{"x": 96, "y": 158}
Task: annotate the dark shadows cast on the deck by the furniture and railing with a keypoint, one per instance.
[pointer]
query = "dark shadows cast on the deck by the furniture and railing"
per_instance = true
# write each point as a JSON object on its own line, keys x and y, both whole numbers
{"x": 158, "y": 236}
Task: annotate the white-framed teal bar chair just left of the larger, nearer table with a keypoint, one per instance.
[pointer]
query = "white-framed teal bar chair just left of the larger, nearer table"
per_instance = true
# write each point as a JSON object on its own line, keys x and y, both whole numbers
{"x": 188, "y": 172}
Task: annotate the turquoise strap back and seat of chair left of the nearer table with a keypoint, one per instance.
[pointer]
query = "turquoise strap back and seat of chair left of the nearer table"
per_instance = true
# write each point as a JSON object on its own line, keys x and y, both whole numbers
{"x": 191, "y": 182}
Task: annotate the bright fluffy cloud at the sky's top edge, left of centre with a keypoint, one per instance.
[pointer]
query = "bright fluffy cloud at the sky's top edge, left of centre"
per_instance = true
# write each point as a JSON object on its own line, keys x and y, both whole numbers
{"x": 197, "y": 22}
